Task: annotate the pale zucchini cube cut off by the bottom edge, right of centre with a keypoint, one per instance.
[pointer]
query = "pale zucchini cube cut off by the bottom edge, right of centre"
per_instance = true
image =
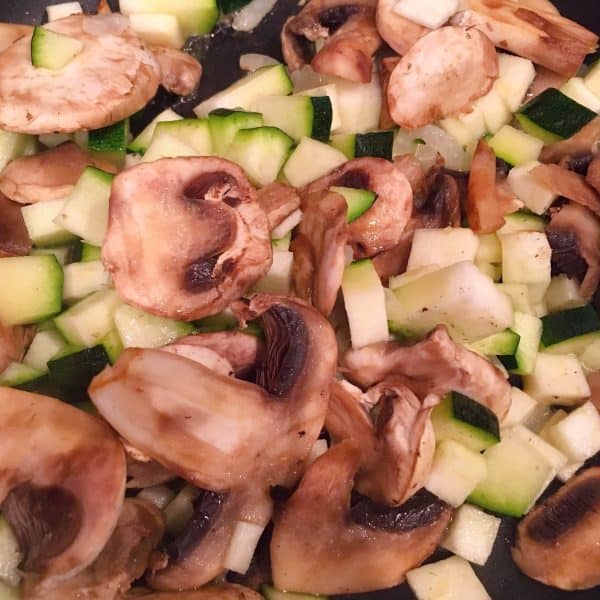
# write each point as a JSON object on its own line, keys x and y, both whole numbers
{"x": 449, "y": 579}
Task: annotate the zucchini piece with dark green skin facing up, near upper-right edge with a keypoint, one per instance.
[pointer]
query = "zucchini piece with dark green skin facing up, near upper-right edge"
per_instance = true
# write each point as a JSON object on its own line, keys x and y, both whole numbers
{"x": 553, "y": 115}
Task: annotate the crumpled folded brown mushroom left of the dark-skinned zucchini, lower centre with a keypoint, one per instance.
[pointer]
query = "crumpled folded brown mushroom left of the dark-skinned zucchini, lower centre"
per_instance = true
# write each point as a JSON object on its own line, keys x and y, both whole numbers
{"x": 397, "y": 452}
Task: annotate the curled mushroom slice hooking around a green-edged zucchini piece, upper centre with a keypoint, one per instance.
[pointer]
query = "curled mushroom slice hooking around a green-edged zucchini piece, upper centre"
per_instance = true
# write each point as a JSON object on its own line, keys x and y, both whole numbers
{"x": 379, "y": 228}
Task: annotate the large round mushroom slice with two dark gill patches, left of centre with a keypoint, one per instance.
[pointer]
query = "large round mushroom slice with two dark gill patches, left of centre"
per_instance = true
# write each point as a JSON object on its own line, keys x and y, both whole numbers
{"x": 185, "y": 236}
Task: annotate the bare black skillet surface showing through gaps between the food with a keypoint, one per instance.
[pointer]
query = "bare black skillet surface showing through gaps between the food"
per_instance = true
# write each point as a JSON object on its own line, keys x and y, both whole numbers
{"x": 219, "y": 56}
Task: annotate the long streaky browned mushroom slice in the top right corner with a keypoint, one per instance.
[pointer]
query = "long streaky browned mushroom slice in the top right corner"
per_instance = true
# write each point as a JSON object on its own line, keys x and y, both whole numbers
{"x": 544, "y": 37}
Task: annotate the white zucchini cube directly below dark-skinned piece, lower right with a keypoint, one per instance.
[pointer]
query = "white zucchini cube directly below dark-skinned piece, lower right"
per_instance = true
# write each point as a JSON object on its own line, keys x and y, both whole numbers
{"x": 455, "y": 472}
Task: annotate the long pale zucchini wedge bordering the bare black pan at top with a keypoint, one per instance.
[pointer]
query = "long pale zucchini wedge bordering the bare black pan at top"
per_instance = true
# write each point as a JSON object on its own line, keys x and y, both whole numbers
{"x": 266, "y": 81}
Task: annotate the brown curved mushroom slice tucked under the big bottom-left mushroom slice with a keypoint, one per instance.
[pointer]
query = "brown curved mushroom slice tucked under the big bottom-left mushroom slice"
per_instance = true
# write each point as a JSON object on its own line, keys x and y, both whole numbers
{"x": 123, "y": 560}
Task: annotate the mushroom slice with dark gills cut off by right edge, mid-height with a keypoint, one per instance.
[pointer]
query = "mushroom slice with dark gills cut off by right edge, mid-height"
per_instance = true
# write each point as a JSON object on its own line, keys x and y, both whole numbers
{"x": 574, "y": 236}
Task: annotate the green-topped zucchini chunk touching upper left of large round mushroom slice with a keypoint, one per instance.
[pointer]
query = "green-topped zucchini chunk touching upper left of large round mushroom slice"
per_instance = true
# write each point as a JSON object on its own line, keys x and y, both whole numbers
{"x": 85, "y": 211}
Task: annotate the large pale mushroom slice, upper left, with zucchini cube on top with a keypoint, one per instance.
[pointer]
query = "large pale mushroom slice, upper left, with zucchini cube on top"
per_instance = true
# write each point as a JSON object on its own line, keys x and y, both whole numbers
{"x": 112, "y": 77}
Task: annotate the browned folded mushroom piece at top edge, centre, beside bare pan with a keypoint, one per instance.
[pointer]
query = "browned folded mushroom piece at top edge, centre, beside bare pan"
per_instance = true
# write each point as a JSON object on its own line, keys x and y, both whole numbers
{"x": 350, "y": 37}
